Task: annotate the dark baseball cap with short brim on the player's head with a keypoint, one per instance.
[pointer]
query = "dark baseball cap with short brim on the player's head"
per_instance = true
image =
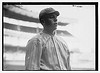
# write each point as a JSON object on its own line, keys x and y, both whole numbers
{"x": 47, "y": 11}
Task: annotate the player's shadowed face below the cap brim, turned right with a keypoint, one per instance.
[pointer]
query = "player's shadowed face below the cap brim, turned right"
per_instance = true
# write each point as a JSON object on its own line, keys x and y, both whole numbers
{"x": 51, "y": 22}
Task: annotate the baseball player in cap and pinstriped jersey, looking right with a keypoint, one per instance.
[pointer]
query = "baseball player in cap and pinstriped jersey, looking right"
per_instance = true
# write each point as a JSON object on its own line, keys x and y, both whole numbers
{"x": 47, "y": 51}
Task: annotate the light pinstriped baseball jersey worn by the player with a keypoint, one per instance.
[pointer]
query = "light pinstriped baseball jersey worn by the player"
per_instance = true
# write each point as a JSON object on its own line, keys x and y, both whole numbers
{"x": 48, "y": 52}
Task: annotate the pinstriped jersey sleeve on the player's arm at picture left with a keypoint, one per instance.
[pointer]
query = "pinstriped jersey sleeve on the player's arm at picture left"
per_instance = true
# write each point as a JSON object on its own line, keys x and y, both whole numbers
{"x": 33, "y": 55}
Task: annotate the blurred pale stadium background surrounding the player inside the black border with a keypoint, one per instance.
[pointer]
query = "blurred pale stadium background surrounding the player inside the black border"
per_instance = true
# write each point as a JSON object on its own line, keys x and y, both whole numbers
{"x": 76, "y": 25}
